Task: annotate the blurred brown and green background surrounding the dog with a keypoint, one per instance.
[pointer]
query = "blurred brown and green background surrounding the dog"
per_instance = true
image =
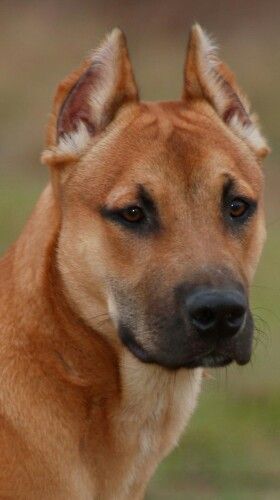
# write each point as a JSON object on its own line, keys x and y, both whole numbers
{"x": 231, "y": 449}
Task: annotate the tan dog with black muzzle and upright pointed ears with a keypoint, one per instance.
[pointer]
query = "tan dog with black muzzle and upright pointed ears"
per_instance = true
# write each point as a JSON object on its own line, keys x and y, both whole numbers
{"x": 131, "y": 276}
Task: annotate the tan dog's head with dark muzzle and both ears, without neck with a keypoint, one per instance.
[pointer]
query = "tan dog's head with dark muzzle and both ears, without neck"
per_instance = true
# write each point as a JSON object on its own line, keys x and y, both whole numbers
{"x": 161, "y": 204}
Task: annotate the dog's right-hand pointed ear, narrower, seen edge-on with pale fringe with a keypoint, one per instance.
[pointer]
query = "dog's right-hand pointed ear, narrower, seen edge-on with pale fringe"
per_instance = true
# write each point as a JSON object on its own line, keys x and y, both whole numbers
{"x": 206, "y": 77}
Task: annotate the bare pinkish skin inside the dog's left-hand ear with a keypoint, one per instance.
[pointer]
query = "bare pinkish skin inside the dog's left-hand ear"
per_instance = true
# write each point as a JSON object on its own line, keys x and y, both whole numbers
{"x": 76, "y": 106}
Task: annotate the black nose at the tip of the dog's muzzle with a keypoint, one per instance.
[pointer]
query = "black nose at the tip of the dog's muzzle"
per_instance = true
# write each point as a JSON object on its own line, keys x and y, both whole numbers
{"x": 216, "y": 311}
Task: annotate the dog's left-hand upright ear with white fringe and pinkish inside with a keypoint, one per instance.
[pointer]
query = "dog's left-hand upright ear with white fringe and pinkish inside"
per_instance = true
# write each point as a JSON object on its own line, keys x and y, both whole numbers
{"x": 88, "y": 99}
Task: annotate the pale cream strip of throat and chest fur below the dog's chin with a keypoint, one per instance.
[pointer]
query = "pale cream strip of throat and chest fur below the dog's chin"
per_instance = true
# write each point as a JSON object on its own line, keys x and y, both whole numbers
{"x": 155, "y": 408}
